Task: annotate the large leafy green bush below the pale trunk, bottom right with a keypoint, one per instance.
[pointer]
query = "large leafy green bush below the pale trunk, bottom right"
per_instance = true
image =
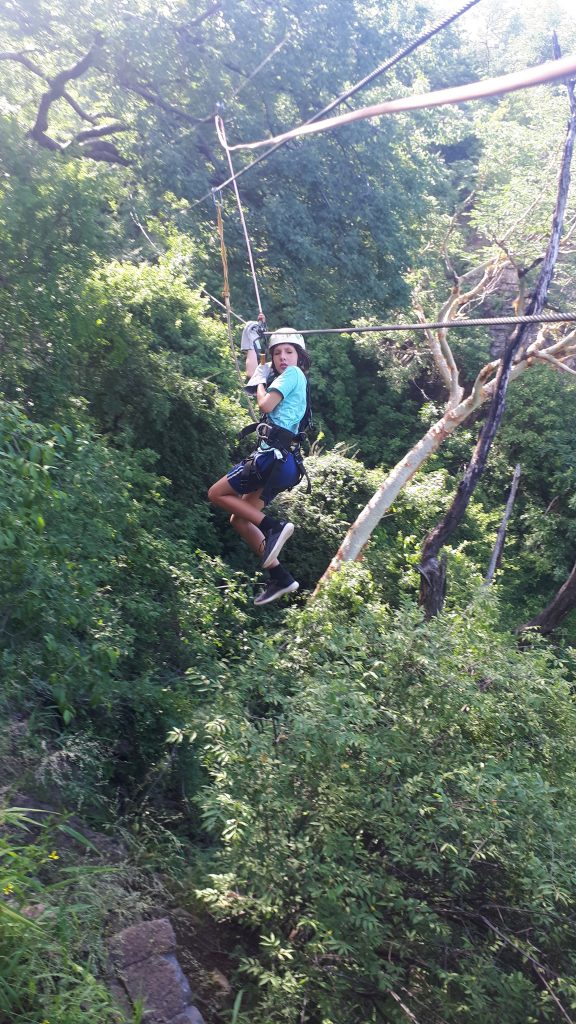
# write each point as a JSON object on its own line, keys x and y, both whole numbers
{"x": 402, "y": 821}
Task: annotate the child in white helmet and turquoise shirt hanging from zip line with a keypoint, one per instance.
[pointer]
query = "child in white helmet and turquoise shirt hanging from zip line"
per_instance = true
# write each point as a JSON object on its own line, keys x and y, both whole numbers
{"x": 281, "y": 393}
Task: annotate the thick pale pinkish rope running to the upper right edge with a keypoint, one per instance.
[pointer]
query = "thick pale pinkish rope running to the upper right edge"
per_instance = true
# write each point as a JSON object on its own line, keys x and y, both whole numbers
{"x": 552, "y": 71}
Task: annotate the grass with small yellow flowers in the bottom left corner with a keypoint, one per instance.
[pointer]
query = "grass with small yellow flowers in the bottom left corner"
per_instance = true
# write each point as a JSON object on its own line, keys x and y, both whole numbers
{"x": 50, "y": 945}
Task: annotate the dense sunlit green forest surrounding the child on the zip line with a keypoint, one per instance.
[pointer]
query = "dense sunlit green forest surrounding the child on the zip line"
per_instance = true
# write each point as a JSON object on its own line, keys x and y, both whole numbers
{"x": 369, "y": 816}
